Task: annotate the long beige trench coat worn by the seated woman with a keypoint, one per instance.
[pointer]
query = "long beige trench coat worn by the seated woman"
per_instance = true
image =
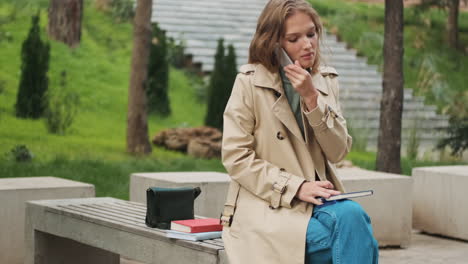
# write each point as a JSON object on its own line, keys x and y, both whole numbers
{"x": 268, "y": 159}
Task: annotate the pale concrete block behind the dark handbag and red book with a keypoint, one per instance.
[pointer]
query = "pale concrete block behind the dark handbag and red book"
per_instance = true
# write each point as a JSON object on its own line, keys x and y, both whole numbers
{"x": 214, "y": 186}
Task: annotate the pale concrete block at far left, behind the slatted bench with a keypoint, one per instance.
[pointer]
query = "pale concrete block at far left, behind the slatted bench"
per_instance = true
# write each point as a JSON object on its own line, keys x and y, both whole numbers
{"x": 14, "y": 192}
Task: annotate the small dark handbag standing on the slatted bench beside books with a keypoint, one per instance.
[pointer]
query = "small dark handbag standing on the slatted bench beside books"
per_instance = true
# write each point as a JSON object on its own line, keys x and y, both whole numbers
{"x": 168, "y": 204}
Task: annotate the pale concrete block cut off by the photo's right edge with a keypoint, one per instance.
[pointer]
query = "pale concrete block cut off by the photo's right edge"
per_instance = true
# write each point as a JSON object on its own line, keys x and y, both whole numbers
{"x": 440, "y": 204}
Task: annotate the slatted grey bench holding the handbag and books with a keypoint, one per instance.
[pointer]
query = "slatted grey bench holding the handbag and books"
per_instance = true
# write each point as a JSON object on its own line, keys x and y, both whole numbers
{"x": 100, "y": 230}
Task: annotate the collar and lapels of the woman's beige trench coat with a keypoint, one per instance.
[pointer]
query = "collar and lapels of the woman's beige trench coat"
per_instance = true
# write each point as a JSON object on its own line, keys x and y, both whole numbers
{"x": 281, "y": 108}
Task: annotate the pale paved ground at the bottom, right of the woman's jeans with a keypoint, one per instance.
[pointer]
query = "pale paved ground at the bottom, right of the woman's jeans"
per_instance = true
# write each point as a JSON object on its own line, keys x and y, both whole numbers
{"x": 424, "y": 249}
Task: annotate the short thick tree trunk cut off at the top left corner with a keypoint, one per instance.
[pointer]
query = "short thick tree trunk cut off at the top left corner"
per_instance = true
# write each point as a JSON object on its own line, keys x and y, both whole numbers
{"x": 65, "y": 21}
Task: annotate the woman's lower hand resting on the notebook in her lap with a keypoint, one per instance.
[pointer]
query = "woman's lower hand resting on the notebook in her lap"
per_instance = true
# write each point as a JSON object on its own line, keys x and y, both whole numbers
{"x": 310, "y": 190}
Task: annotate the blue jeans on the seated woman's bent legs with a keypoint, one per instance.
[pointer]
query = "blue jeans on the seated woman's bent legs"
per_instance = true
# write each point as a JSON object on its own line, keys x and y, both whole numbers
{"x": 340, "y": 233}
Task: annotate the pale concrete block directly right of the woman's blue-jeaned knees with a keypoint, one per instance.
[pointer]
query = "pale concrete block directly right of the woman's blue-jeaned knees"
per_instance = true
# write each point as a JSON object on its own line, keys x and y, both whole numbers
{"x": 389, "y": 208}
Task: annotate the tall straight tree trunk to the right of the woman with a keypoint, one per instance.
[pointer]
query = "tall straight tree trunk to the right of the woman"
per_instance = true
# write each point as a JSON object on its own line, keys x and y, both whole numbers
{"x": 391, "y": 107}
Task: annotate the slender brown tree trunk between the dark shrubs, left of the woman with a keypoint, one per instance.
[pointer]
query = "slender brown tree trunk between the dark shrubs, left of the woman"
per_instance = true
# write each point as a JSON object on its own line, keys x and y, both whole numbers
{"x": 137, "y": 126}
